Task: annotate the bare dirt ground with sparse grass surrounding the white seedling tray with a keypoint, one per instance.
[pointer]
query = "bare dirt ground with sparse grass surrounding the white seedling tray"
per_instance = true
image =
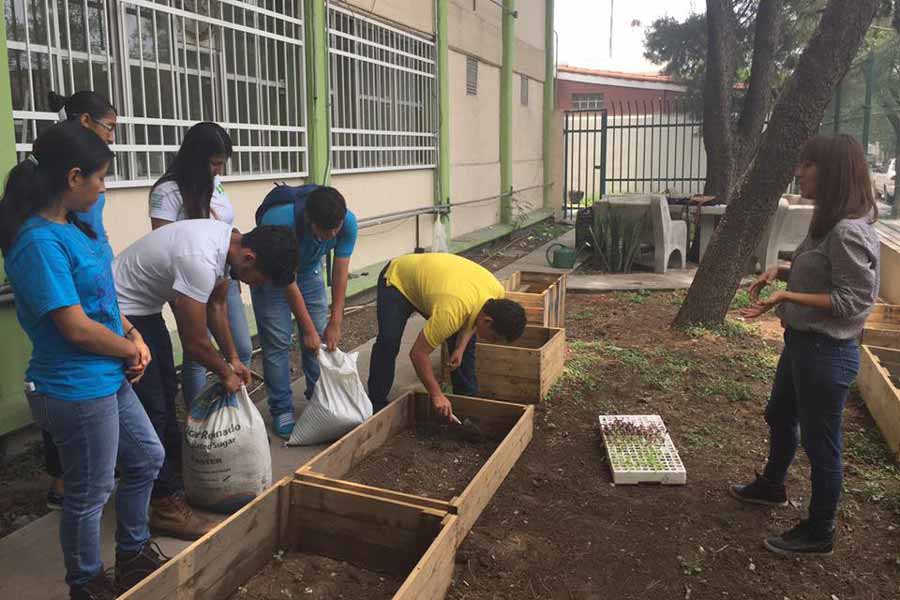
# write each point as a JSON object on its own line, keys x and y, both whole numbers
{"x": 558, "y": 527}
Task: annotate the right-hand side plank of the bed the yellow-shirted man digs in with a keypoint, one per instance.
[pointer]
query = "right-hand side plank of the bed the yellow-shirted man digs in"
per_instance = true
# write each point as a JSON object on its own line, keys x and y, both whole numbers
{"x": 472, "y": 501}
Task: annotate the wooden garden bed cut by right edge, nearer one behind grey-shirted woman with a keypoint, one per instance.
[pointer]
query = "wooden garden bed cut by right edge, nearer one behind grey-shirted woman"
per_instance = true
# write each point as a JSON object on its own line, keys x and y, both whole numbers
{"x": 879, "y": 379}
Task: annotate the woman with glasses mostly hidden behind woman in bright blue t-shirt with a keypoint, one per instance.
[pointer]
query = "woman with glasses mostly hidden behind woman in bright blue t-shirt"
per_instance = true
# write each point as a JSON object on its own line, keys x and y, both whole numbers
{"x": 96, "y": 114}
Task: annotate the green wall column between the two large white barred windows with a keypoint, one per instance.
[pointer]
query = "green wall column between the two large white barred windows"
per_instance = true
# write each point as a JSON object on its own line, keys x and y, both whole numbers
{"x": 315, "y": 48}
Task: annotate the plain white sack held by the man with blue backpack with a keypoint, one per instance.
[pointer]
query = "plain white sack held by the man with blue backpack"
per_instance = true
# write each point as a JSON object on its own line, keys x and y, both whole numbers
{"x": 339, "y": 402}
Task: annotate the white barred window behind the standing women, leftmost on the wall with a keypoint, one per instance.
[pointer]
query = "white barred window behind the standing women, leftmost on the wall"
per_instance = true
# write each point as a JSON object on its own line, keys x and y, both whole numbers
{"x": 165, "y": 65}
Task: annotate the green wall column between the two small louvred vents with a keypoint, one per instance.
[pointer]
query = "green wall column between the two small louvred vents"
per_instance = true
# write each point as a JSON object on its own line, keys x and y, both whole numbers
{"x": 506, "y": 171}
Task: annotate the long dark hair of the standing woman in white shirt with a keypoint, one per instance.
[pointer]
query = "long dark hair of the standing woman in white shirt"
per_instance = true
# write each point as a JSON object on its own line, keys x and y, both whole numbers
{"x": 190, "y": 168}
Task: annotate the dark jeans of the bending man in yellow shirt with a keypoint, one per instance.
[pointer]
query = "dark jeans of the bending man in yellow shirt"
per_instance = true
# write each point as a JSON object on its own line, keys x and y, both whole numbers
{"x": 394, "y": 311}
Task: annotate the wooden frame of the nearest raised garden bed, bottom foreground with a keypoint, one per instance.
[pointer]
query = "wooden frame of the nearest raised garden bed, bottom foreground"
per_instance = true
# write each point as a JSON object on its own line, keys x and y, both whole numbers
{"x": 413, "y": 543}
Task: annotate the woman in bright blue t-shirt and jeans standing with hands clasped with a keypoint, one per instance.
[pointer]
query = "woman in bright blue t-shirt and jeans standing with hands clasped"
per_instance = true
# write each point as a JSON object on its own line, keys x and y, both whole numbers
{"x": 84, "y": 354}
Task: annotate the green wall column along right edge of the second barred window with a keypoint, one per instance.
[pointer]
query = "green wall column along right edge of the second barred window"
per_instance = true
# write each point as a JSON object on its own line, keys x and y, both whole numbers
{"x": 443, "y": 110}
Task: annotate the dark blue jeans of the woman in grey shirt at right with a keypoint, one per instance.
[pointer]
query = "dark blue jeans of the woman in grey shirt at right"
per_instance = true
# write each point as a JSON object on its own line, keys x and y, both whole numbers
{"x": 811, "y": 385}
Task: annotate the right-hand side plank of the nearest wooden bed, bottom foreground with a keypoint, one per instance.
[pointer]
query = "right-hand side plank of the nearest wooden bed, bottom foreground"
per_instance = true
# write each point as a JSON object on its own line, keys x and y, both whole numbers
{"x": 431, "y": 577}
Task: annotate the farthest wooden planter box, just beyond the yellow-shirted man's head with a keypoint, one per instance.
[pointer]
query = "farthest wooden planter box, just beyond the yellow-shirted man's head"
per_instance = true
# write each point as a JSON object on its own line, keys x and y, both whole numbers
{"x": 542, "y": 295}
